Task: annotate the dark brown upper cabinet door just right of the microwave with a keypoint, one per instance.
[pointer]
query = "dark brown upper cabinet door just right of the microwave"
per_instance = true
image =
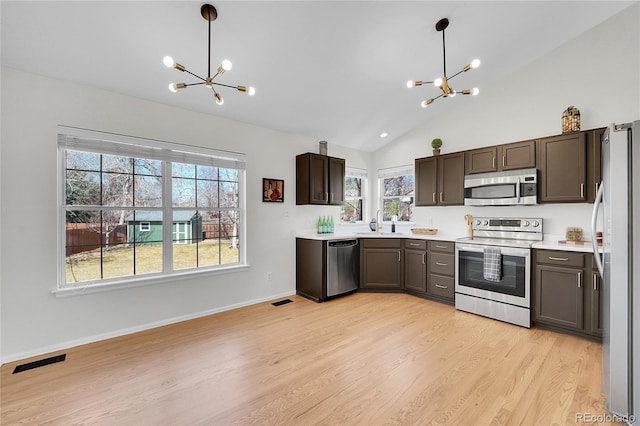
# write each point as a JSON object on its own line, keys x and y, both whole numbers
{"x": 562, "y": 168}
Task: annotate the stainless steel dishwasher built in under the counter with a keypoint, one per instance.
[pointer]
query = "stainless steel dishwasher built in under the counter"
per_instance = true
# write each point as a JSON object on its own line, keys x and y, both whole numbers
{"x": 343, "y": 266}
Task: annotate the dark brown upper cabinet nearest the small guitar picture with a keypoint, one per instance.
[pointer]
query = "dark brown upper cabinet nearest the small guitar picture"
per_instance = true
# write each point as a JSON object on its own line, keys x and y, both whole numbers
{"x": 319, "y": 179}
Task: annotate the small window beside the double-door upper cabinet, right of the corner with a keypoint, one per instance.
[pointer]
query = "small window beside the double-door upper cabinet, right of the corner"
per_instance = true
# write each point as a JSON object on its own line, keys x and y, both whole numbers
{"x": 396, "y": 189}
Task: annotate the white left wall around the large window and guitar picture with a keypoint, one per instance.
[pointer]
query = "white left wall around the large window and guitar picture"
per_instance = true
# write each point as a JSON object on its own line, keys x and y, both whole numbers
{"x": 34, "y": 320}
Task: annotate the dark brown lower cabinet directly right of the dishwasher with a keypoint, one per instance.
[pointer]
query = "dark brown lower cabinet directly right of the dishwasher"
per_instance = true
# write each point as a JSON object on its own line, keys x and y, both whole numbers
{"x": 381, "y": 264}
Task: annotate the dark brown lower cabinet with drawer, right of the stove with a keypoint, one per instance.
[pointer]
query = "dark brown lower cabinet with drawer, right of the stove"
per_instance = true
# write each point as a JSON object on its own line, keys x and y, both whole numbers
{"x": 566, "y": 292}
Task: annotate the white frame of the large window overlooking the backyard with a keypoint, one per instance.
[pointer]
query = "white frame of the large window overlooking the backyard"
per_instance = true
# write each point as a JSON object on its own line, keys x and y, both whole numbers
{"x": 70, "y": 138}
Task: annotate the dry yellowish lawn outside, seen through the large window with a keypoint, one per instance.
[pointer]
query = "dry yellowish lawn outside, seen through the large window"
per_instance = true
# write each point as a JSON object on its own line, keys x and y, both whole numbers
{"x": 119, "y": 261}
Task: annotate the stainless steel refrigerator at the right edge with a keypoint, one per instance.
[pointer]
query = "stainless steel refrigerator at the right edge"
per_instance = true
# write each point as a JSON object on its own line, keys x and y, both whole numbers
{"x": 619, "y": 265}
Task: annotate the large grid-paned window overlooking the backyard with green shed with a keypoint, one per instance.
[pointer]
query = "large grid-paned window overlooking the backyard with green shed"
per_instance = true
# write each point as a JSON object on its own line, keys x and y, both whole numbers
{"x": 136, "y": 209}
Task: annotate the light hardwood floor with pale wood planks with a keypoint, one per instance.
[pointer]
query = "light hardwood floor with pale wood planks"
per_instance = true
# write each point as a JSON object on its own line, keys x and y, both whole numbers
{"x": 367, "y": 359}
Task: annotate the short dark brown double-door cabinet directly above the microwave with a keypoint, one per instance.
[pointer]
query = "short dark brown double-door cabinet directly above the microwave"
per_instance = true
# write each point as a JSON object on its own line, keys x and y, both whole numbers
{"x": 512, "y": 156}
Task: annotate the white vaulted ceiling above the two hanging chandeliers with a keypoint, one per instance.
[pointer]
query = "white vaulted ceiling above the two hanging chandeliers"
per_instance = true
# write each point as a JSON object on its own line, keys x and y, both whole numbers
{"x": 327, "y": 70}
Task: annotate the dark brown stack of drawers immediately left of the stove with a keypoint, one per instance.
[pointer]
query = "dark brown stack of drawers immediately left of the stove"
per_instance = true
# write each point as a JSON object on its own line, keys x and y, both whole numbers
{"x": 441, "y": 271}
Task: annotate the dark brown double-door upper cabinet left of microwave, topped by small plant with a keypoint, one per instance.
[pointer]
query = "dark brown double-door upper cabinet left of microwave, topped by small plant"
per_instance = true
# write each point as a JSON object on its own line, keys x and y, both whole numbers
{"x": 440, "y": 180}
